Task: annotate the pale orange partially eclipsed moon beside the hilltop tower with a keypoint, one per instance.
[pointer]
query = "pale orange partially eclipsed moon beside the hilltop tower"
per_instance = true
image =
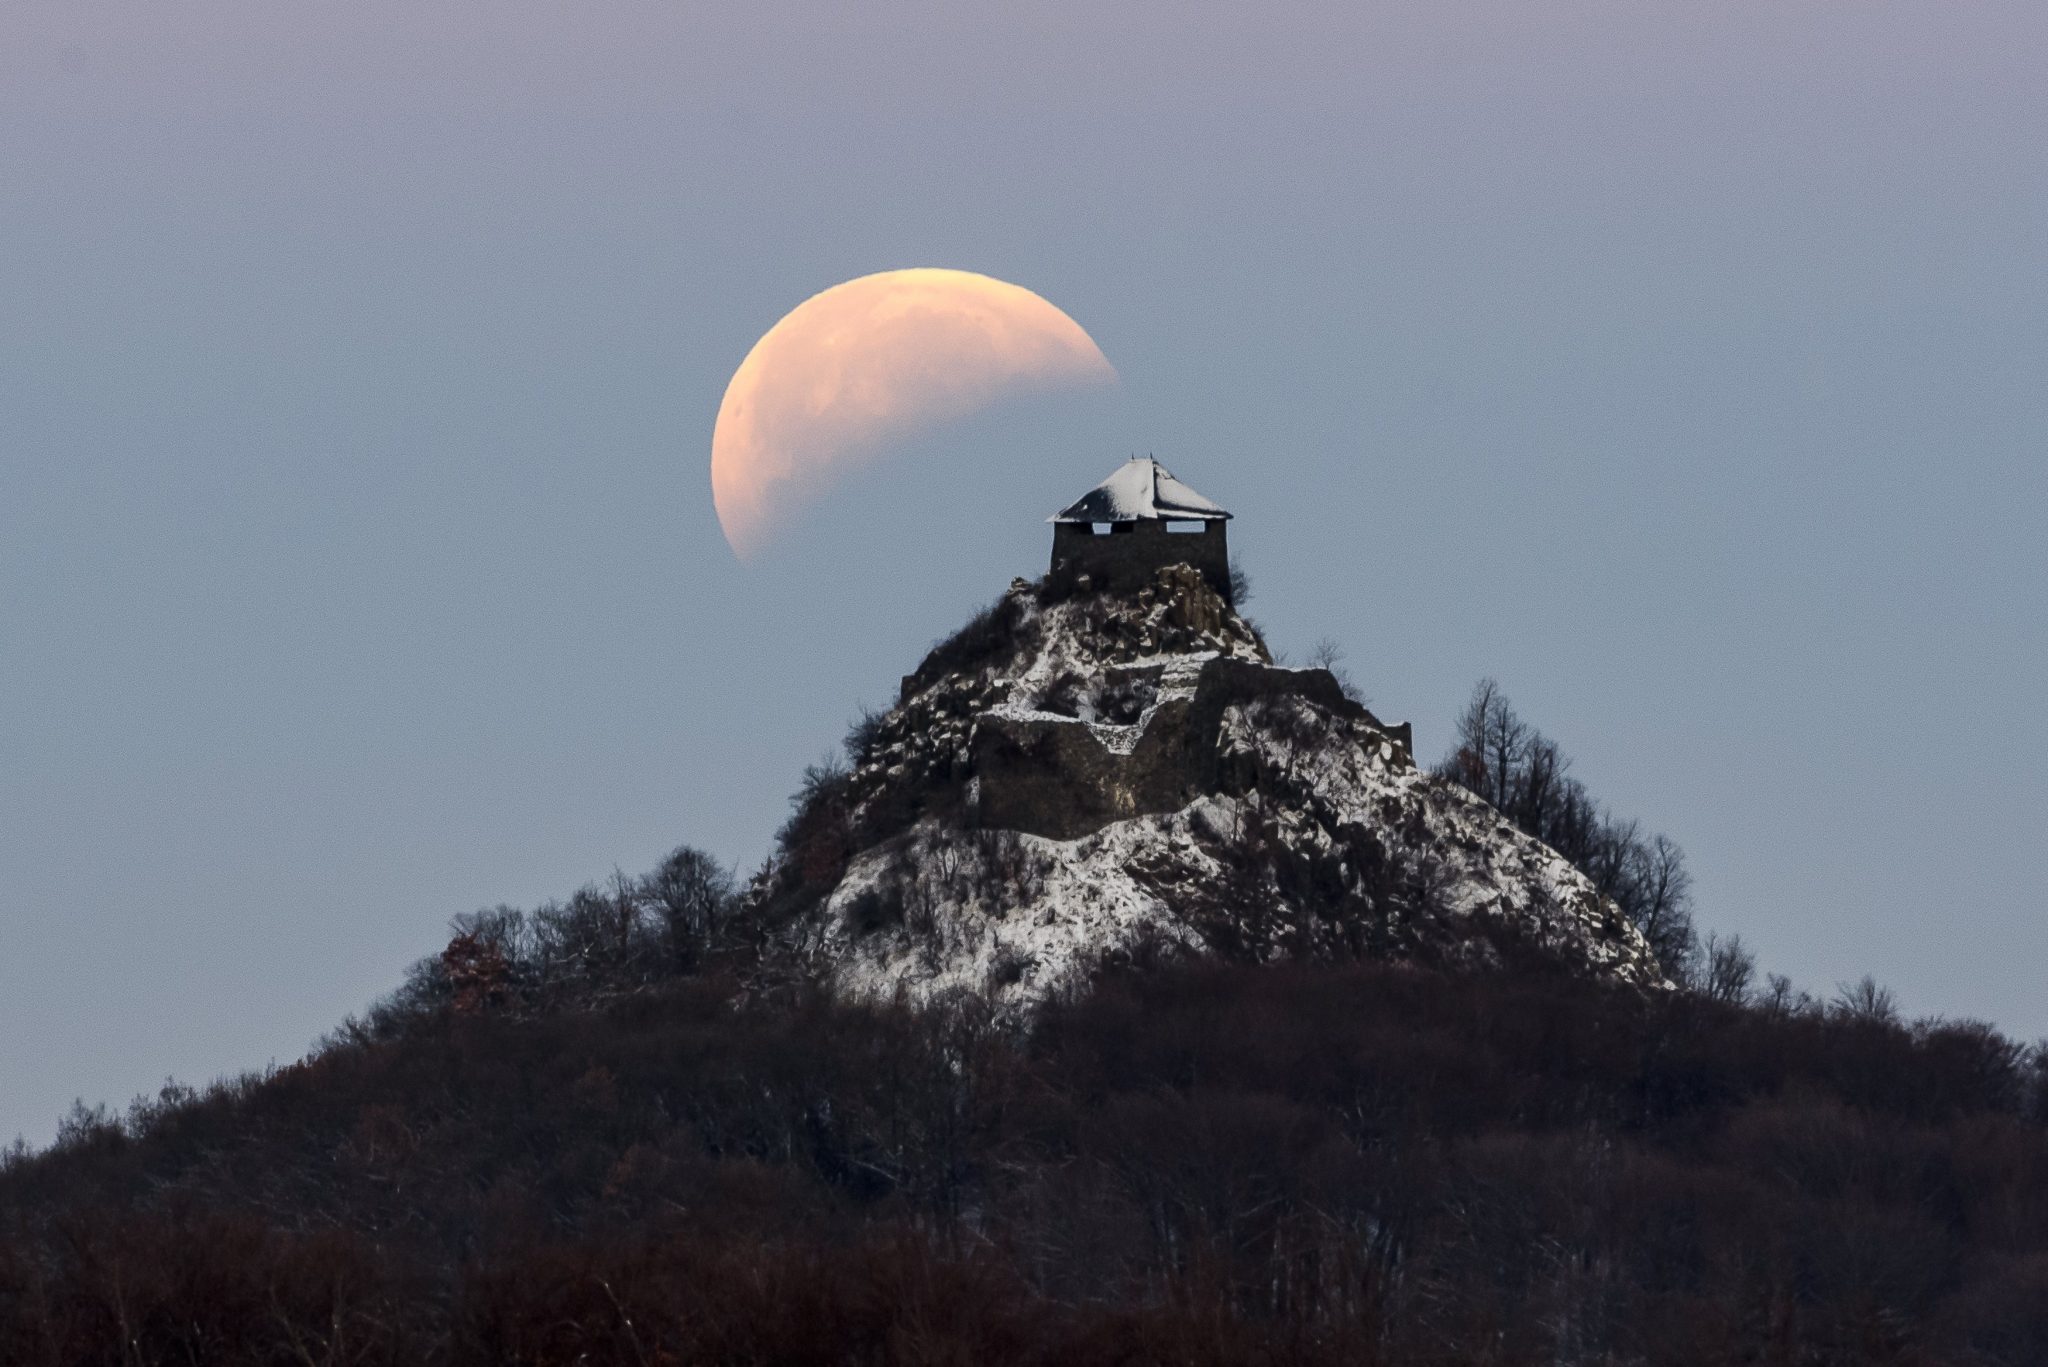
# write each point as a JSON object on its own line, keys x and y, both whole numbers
{"x": 871, "y": 362}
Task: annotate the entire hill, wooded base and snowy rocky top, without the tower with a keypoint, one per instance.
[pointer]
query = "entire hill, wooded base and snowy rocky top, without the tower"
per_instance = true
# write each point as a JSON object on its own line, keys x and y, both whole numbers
{"x": 1125, "y": 999}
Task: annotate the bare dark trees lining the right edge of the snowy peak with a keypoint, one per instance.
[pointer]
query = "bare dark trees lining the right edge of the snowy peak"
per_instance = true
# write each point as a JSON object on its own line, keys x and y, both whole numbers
{"x": 1523, "y": 774}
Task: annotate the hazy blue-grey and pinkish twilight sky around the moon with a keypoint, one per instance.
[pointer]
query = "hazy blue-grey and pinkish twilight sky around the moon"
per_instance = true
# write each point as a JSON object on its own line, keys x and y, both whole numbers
{"x": 1678, "y": 364}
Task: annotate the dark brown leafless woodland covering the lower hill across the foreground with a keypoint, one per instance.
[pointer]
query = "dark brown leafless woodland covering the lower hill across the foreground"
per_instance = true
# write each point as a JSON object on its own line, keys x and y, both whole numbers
{"x": 1187, "y": 1165}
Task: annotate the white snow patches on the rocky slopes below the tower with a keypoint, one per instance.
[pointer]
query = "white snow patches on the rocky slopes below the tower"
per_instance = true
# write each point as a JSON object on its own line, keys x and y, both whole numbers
{"x": 1019, "y": 915}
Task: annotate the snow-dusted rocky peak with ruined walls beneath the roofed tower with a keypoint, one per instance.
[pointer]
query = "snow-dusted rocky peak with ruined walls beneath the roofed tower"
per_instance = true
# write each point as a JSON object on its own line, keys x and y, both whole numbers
{"x": 1086, "y": 778}
